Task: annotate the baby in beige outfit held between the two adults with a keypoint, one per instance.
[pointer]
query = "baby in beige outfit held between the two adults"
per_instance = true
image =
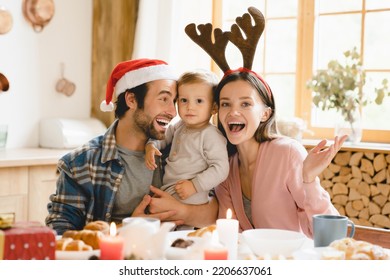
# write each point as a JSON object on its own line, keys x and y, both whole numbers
{"x": 198, "y": 159}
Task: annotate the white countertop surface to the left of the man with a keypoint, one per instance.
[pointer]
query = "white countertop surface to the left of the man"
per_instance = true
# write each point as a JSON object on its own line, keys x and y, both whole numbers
{"x": 30, "y": 156}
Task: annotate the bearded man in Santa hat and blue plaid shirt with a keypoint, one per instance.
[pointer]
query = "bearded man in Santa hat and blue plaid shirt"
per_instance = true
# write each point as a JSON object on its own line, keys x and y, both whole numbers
{"x": 106, "y": 178}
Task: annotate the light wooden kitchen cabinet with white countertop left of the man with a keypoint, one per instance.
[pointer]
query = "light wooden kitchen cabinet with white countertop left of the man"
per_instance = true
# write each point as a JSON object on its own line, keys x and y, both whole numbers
{"x": 27, "y": 179}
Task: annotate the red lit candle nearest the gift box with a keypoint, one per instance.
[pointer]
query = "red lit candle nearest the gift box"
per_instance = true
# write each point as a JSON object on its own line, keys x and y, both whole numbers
{"x": 111, "y": 247}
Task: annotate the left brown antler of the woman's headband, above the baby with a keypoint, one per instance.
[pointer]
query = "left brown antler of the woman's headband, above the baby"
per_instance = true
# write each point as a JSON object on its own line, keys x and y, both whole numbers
{"x": 215, "y": 50}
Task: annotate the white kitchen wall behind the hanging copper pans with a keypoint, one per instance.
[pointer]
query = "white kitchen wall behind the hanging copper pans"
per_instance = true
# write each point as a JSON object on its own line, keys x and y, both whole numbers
{"x": 31, "y": 62}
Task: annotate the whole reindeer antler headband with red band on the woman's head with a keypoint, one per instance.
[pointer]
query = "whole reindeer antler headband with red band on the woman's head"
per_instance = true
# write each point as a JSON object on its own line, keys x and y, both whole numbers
{"x": 246, "y": 46}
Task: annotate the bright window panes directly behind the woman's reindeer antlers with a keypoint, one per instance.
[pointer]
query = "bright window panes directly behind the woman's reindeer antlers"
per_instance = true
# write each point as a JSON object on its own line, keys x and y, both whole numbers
{"x": 275, "y": 57}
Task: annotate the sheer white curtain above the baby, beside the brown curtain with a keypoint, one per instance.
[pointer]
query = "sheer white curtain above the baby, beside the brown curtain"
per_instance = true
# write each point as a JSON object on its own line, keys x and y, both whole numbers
{"x": 160, "y": 32}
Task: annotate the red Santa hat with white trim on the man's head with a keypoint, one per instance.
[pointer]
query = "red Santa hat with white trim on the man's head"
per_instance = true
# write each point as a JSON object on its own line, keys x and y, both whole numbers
{"x": 132, "y": 73}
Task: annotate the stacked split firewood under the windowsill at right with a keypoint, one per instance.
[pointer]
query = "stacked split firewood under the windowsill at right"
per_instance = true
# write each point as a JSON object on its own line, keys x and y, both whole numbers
{"x": 359, "y": 186}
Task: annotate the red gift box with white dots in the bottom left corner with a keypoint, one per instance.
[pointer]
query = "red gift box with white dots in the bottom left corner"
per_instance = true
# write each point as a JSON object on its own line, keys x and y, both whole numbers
{"x": 27, "y": 241}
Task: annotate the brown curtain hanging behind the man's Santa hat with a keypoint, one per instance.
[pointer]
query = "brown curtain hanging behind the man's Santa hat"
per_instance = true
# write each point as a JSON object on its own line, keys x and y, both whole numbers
{"x": 112, "y": 42}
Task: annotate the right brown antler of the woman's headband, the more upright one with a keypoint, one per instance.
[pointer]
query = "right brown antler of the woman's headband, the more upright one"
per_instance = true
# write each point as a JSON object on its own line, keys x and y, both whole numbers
{"x": 247, "y": 46}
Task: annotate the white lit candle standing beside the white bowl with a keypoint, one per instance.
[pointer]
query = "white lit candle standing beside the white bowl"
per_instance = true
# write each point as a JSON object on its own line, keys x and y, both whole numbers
{"x": 228, "y": 234}
